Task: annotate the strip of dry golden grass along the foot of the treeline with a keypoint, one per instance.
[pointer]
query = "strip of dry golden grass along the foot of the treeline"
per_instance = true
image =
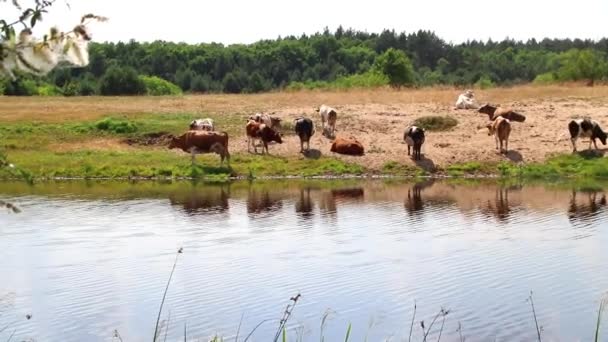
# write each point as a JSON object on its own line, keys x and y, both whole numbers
{"x": 58, "y": 109}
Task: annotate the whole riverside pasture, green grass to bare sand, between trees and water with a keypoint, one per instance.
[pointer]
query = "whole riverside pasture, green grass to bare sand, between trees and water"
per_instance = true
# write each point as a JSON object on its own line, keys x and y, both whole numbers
{"x": 126, "y": 137}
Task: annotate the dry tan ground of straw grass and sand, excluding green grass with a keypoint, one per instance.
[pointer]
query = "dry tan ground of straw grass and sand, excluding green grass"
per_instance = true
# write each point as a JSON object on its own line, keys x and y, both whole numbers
{"x": 377, "y": 118}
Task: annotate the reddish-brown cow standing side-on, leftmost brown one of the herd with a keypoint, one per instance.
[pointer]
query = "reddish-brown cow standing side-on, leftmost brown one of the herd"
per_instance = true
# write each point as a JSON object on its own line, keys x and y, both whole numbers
{"x": 198, "y": 142}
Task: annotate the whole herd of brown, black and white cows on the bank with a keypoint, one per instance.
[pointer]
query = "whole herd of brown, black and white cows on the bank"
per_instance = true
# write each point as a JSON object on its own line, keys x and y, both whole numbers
{"x": 203, "y": 138}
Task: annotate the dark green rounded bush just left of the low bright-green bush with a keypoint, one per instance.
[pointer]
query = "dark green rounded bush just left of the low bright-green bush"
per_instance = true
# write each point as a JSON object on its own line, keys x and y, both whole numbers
{"x": 121, "y": 81}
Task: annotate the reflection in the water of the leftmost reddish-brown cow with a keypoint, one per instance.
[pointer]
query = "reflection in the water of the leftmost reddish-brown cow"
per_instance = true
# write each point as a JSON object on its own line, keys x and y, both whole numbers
{"x": 202, "y": 200}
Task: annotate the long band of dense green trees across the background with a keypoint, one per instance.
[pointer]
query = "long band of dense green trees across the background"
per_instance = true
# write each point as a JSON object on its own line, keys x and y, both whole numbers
{"x": 340, "y": 59}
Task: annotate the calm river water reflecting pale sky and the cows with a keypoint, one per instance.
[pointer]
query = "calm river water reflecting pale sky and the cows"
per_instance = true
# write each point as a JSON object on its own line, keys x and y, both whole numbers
{"x": 85, "y": 259}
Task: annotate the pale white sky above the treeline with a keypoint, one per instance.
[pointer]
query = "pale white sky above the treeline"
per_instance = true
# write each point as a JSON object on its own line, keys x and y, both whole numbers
{"x": 246, "y": 21}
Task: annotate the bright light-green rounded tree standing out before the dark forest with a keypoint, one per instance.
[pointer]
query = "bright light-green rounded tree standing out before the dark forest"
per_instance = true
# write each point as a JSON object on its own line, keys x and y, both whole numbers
{"x": 397, "y": 67}
